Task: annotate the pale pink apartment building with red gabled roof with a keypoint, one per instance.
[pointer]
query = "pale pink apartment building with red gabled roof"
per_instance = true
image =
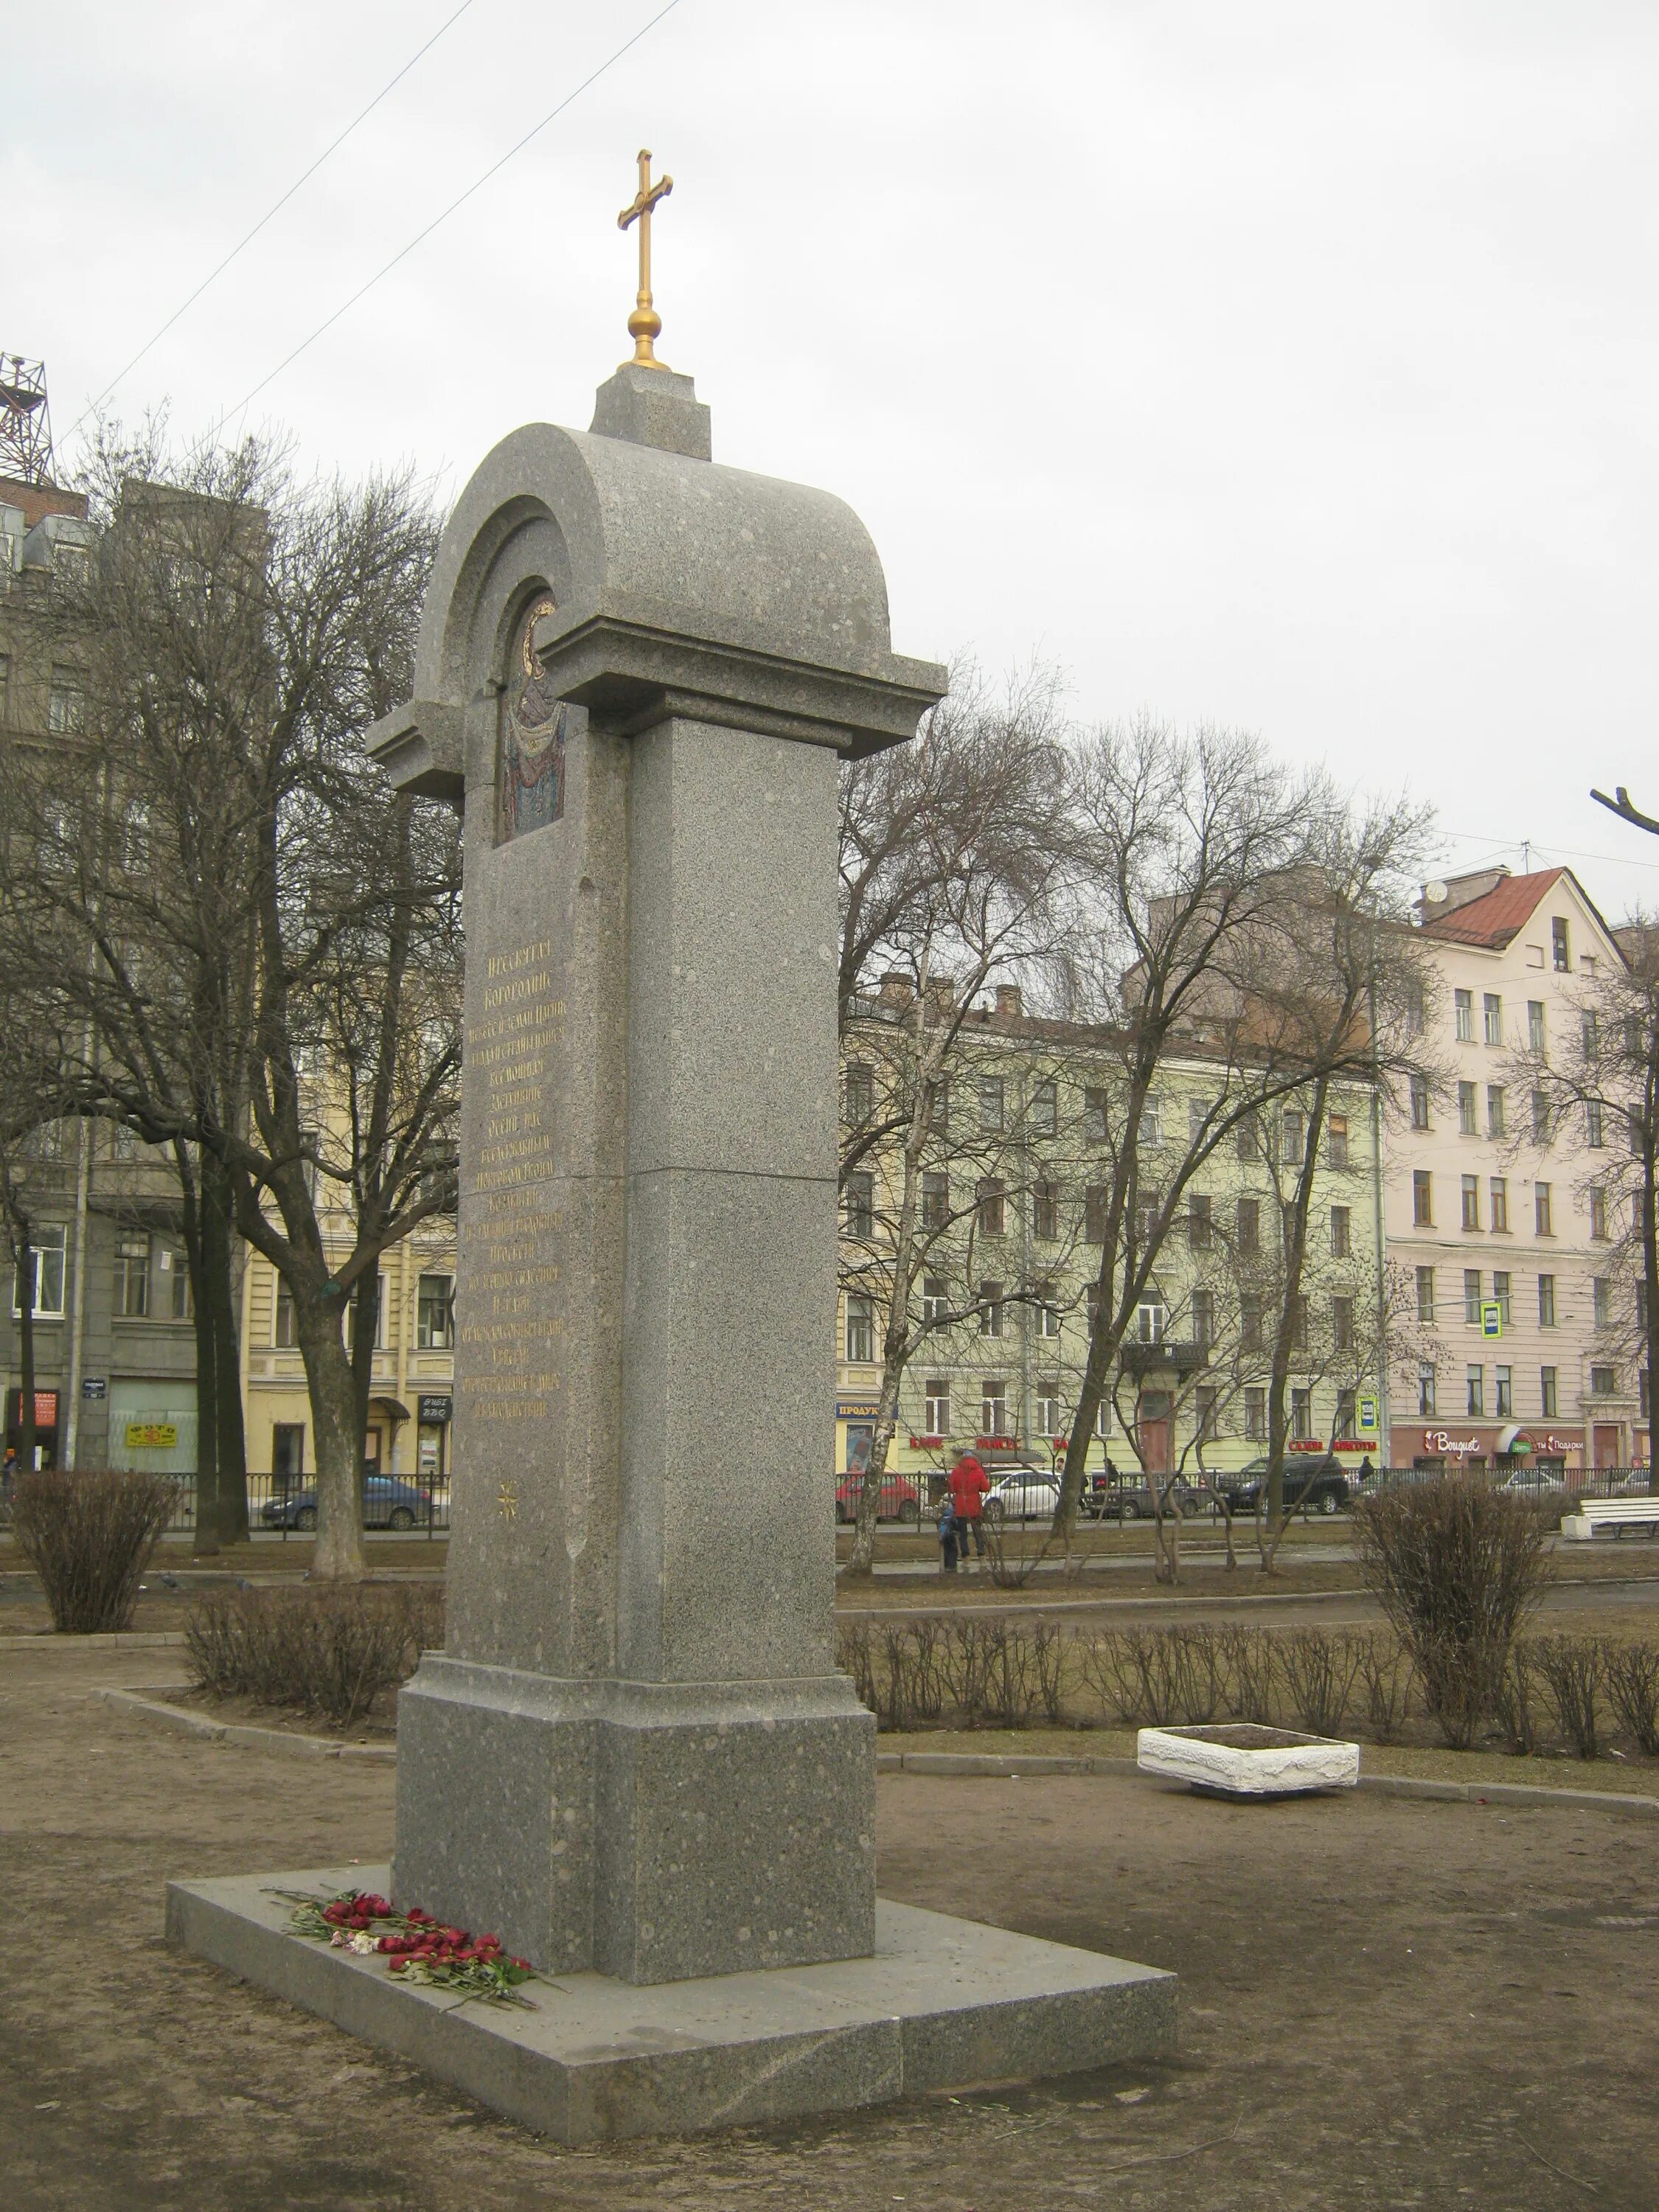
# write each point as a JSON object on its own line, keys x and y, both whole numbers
{"x": 1496, "y": 1202}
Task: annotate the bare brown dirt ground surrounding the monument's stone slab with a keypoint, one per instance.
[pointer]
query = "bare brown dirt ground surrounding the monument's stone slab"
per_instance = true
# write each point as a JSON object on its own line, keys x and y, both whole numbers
{"x": 1381, "y": 2005}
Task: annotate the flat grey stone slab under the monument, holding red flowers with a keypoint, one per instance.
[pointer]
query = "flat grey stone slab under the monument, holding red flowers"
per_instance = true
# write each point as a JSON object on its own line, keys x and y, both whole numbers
{"x": 941, "y": 2005}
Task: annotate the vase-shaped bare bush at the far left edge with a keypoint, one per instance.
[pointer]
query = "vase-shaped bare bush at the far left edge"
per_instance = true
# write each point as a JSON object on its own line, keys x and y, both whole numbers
{"x": 90, "y": 1538}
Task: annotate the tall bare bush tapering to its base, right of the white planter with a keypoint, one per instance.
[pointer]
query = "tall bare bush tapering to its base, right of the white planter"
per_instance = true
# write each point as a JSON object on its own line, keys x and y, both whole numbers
{"x": 1459, "y": 1567}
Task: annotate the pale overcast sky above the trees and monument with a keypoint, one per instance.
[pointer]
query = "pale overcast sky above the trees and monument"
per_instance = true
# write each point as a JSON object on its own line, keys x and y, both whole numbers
{"x": 1282, "y": 366}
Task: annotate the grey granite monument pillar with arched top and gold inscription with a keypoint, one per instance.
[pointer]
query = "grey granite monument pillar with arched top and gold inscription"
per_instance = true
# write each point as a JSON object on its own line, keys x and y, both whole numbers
{"x": 636, "y": 1753}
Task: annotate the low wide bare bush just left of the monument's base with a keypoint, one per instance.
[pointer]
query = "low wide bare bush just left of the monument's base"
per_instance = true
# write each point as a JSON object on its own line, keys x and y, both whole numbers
{"x": 317, "y": 1651}
